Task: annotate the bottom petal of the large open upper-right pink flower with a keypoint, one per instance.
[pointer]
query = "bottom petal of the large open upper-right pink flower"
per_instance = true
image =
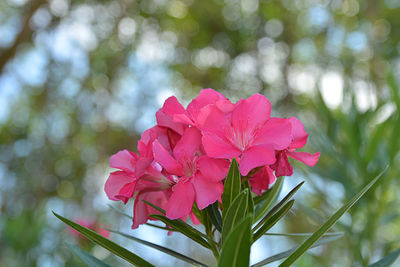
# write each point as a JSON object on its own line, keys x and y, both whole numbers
{"x": 256, "y": 156}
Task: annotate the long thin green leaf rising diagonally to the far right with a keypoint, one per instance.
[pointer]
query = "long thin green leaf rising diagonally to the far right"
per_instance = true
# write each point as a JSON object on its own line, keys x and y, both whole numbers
{"x": 328, "y": 224}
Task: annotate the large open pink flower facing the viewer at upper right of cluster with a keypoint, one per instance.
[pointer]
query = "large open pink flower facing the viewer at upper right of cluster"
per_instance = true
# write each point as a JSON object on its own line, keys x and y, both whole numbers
{"x": 248, "y": 133}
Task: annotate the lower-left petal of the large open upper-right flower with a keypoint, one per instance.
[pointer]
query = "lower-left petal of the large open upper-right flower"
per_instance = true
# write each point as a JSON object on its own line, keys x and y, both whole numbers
{"x": 218, "y": 147}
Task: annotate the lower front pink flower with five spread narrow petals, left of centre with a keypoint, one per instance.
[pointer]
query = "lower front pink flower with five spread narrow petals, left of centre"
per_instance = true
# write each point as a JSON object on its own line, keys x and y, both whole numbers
{"x": 198, "y": 177}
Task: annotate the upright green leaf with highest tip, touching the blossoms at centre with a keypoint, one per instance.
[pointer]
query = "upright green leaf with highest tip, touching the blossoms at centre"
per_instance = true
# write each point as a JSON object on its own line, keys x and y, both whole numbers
{"x": 231, "y": 186}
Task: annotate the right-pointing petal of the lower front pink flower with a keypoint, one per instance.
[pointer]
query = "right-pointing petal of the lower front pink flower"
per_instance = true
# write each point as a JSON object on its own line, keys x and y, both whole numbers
{"x": 213, "y": 169}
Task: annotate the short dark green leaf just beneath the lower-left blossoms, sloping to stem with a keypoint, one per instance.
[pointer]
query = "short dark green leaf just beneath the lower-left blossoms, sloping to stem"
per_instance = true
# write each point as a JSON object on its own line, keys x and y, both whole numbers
{"x": 183, "y": 228}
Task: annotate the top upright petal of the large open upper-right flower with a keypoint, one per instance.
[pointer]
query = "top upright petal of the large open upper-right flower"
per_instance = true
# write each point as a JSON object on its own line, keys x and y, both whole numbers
{"x": 251, "y": 113}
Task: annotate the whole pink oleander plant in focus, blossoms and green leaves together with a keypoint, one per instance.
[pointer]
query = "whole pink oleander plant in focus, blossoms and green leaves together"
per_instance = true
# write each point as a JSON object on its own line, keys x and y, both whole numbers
{"x": 216, "y": 165}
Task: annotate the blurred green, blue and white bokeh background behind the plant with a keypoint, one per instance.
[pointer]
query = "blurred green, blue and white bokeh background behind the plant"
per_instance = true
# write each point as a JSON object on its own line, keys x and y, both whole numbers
{"x": 80, "y": 80}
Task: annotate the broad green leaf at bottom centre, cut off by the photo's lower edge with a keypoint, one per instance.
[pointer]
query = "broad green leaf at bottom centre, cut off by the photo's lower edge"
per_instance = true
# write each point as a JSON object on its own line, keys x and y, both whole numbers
{"x": 236, "y": 250}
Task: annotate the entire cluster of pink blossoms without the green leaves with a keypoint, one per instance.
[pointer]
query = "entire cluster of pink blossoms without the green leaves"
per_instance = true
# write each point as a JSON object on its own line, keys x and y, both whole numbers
{"x": 184, "y": 159}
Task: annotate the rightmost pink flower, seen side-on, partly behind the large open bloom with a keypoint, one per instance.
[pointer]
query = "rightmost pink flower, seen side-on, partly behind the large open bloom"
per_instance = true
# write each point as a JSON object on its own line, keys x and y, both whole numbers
{"x": 282, "y": 166}
